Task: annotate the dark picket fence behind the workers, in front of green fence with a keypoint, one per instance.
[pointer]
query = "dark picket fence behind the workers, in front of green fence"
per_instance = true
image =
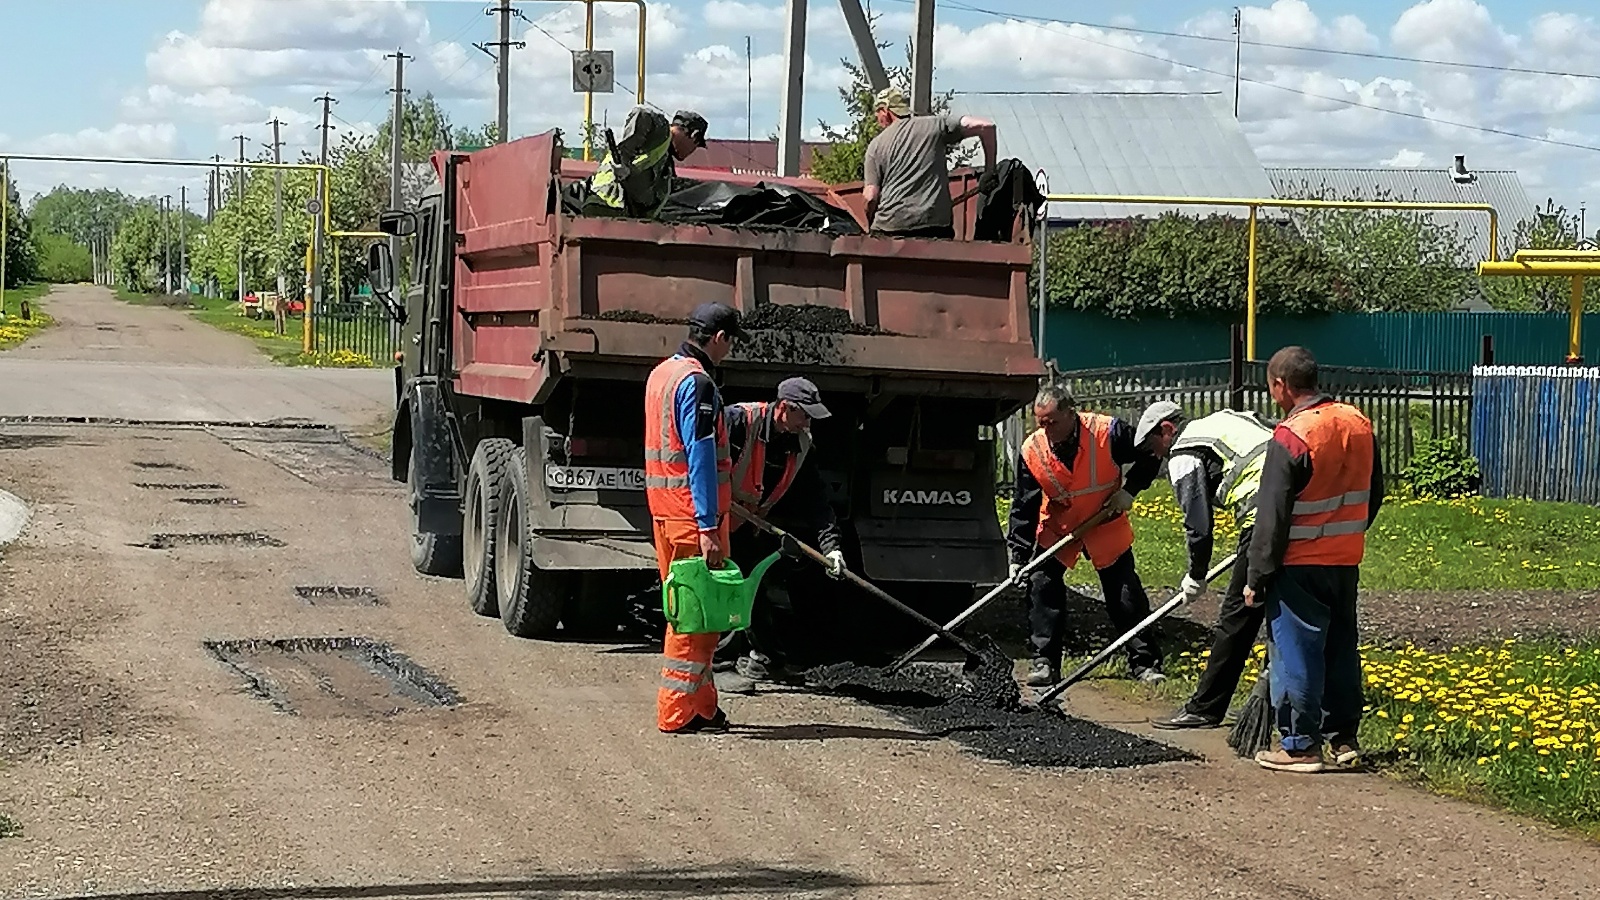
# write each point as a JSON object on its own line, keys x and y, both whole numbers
{"x": 1404, "y": 406}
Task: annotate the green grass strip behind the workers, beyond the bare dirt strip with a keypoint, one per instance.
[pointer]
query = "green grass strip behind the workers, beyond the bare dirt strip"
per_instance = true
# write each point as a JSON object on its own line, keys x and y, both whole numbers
{"x": 1417, "y": 545}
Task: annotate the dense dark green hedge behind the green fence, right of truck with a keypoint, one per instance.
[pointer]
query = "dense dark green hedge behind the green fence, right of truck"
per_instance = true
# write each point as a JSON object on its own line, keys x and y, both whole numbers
{"x": 1177, "y": 267}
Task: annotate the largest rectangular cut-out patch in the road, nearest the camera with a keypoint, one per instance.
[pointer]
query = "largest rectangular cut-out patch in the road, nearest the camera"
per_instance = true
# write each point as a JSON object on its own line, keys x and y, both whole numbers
{"x": 334, "y": 677}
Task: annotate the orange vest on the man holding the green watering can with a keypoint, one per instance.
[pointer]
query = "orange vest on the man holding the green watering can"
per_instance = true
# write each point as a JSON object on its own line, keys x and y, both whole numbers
{"x": 666, "y": 457}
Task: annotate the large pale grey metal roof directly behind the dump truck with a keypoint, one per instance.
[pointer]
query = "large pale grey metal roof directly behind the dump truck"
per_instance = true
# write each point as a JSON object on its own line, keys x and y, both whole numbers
{"x": 1172, "y": 145}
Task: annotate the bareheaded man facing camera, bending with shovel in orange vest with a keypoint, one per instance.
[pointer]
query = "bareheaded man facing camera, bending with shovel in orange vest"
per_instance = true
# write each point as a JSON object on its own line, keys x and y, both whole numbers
{"x": 1068, "y": 470}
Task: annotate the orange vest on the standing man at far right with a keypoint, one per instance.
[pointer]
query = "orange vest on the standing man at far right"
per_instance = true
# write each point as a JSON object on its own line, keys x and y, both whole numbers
{"x": 1329, "y": 520}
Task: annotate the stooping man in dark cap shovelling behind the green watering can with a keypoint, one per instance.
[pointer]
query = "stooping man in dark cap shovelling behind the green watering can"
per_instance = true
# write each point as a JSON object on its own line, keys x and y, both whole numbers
{"x": 772, "y": 478}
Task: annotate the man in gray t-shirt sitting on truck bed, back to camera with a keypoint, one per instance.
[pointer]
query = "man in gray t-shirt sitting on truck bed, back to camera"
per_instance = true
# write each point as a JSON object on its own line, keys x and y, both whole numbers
{"x": 908, "y": 182}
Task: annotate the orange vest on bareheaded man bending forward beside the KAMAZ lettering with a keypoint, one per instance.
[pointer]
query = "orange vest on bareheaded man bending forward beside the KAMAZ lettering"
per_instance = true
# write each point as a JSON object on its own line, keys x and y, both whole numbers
{"x": 1078, "y": 494}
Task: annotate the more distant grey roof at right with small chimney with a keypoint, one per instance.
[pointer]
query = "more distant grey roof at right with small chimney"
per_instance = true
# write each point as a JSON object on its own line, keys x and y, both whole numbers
{"x": 1497, "y": 188}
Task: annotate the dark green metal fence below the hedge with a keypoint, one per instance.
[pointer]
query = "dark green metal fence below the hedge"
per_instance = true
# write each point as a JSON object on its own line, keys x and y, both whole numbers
{"x": 1415, "y": 342}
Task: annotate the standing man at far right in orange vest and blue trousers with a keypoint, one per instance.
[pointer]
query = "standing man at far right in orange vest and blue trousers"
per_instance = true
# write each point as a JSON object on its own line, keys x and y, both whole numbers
{"x": 1321, "y": 491}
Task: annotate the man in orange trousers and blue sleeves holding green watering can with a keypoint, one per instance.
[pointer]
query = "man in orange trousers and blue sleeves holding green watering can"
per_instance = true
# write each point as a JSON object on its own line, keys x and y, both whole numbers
{"x": 689, "y": 484}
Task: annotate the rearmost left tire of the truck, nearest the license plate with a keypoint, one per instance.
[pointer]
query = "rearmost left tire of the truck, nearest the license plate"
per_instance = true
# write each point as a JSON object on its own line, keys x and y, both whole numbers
{"x": 530, "y": 600}
